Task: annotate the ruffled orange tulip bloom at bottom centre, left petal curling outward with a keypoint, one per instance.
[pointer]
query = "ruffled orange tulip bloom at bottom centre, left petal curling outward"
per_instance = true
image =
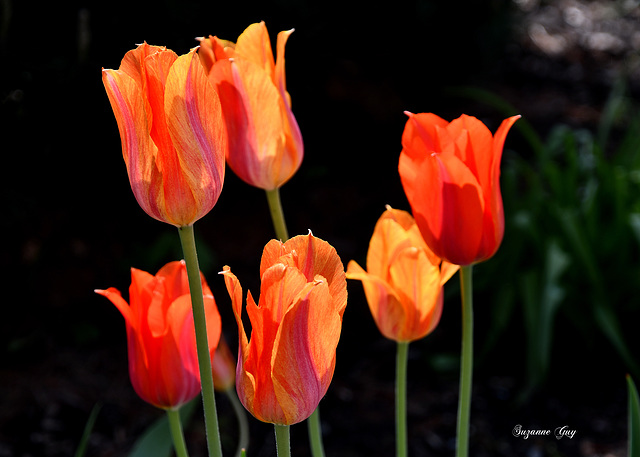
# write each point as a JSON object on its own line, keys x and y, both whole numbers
{"x": 286, "y": 368}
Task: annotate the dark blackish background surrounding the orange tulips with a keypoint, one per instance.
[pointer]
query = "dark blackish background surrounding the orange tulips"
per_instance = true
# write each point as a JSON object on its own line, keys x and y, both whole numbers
{"x": 71, "y": 224}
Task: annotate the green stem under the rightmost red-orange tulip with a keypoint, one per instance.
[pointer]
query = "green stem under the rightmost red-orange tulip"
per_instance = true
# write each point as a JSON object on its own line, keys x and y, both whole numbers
{"x": 466, "y": 362}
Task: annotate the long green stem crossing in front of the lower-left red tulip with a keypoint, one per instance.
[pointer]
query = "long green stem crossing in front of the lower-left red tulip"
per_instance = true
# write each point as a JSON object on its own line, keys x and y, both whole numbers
{"x": 204, "y": 359}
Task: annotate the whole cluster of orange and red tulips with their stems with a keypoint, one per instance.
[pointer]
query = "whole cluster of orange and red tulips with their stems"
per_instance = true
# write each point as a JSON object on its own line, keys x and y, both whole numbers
{"x": 181, "y": 118}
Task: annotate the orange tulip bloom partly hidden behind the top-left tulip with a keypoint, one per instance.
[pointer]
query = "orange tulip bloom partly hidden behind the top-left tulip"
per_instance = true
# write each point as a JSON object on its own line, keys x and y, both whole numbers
{"x": 265, "y": 144}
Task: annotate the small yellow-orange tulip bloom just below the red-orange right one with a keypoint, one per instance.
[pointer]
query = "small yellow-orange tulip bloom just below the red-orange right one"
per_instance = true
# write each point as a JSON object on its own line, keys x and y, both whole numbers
{"x": 404, "y": 279}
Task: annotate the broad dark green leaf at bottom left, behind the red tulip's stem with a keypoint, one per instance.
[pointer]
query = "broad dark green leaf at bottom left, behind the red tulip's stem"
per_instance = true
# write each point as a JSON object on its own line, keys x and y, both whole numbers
{"x": 156, "y": 440}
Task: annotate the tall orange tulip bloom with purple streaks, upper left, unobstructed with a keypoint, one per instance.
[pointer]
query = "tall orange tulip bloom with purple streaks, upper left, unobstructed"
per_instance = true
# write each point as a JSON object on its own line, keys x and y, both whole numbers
{"x": 173, "y": 136}
